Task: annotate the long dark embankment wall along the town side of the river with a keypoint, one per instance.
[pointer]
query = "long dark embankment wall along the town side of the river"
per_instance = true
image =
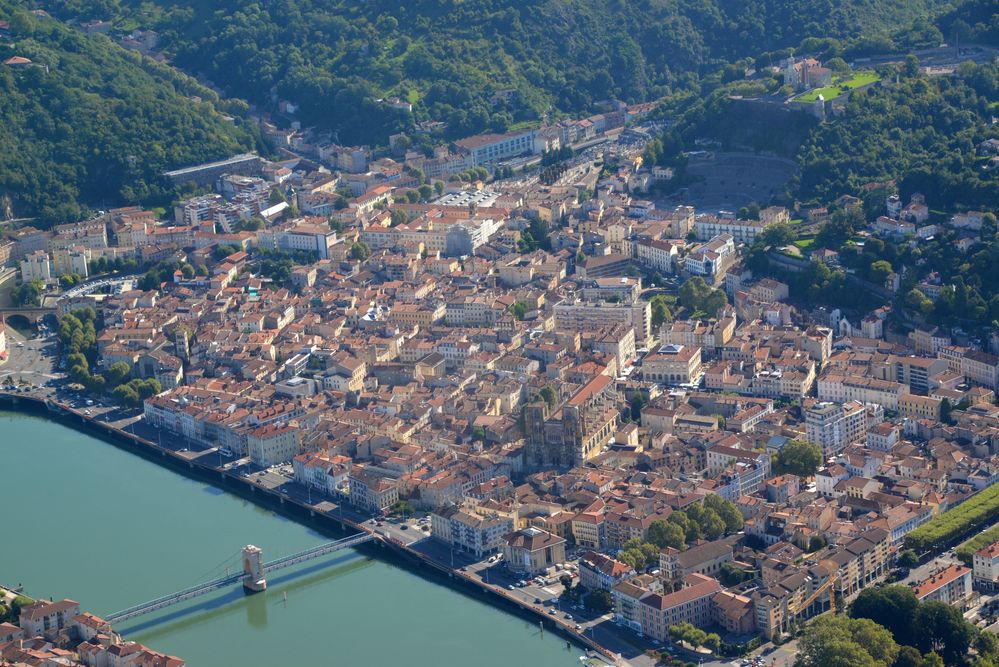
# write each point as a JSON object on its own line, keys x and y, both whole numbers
{"x": 383, "y": 548}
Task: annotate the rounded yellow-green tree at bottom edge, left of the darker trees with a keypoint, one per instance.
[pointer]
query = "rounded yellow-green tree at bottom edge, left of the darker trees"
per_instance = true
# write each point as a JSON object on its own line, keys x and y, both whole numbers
{"x": 839, "y": 641}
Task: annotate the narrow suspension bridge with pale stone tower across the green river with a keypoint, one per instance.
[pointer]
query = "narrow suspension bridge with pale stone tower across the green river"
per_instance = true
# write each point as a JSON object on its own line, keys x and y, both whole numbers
{"x": 252, "y": 576}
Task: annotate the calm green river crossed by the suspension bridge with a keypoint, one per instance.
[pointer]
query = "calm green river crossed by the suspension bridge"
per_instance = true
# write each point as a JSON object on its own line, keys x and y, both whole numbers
{"x": 85, "y": 520}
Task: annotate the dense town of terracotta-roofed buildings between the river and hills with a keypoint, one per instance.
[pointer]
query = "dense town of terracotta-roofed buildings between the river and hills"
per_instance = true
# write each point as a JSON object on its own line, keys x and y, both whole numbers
{"x": 521, "y": 390}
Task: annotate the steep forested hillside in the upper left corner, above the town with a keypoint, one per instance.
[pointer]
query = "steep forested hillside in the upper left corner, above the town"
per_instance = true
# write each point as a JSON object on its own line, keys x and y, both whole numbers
{"x": 88, "y": 123}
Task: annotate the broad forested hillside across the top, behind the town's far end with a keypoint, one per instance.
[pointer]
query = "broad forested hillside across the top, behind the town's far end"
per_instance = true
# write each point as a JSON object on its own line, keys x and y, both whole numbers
{"x": 449, "y": 57}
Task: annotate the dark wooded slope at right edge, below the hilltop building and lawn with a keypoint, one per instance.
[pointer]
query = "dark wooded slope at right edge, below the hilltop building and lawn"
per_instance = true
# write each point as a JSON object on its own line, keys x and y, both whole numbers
{"x": 922, "y": 131}
